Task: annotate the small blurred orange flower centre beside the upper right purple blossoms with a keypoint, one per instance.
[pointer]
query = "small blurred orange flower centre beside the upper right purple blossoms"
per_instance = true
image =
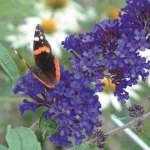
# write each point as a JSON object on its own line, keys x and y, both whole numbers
{"x": 113, "y": 13}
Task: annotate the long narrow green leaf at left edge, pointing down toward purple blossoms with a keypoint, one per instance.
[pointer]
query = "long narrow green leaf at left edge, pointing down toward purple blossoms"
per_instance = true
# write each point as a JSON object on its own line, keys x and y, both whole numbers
{"x": 8, "y": 64}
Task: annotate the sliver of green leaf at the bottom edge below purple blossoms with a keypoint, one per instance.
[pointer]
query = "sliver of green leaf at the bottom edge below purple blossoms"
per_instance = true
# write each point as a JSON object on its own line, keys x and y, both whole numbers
{"x": 85, "y": 146}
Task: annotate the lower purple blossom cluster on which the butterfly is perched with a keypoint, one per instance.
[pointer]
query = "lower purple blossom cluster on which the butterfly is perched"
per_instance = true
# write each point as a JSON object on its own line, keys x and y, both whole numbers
{"x": 74, "y": 106}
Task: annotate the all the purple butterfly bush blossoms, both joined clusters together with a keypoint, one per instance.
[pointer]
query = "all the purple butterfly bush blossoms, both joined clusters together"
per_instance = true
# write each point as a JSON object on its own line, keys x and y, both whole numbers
{"x": 112, "y": 50}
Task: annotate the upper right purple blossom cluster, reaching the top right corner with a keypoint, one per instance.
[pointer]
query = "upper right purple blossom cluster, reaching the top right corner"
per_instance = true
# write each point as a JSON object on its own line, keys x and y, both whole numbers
{"x": 112, "y": 50}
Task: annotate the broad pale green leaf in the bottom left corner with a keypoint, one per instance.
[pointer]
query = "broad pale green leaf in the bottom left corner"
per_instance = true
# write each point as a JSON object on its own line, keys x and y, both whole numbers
{"x": 21, "y": 138}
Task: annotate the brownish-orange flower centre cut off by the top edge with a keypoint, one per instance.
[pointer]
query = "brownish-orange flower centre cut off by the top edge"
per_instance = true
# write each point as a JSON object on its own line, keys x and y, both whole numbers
{"x": 56, "y": 3}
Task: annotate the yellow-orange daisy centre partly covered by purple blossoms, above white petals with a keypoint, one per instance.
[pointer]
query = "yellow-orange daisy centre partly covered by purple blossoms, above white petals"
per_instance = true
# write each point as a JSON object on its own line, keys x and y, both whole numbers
{"x": 109, "y": 86}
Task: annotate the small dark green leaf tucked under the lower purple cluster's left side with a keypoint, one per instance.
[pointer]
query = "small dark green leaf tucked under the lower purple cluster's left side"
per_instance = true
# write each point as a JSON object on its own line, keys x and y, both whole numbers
{"x": 47, "y": 127}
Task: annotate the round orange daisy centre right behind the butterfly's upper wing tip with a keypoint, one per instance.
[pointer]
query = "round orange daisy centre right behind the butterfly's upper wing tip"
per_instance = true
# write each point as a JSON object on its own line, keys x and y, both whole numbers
{"x": 49, "y": 25}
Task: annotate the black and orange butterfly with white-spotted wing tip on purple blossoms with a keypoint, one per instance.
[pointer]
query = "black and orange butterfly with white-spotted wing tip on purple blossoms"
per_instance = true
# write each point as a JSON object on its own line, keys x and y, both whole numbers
{"x": 47, "y": 69}
